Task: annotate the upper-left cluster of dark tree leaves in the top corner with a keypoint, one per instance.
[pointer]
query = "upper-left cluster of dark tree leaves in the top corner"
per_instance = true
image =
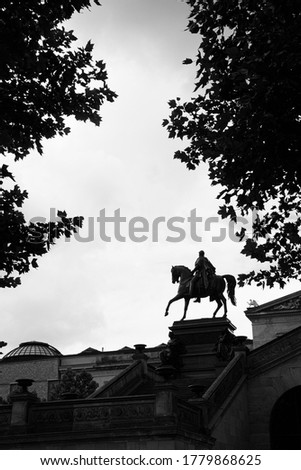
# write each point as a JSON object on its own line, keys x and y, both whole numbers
{"x": 43, "y": 78}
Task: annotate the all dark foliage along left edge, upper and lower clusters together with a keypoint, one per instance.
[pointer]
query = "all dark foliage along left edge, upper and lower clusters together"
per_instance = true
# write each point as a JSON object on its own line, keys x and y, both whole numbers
{"x": 44, "y": 78}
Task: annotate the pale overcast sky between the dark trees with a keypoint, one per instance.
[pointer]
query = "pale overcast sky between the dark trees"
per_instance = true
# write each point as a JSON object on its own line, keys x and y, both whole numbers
{"x": 112, "y": 294}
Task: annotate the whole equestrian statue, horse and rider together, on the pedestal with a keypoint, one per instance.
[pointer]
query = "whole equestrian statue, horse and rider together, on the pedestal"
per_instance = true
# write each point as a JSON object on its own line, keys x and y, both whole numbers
{"x": 202, "y": 282}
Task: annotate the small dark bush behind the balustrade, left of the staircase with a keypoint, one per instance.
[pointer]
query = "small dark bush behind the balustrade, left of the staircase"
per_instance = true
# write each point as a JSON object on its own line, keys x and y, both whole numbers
{"x": 81, "y": 383}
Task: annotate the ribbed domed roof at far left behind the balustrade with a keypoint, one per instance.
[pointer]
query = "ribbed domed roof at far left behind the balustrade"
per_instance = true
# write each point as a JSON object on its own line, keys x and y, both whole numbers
{"x": 32, "y": 350}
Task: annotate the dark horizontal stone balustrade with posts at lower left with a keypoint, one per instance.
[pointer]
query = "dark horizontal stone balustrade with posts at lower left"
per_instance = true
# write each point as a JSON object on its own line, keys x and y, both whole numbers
{"x": 136, "y": 413}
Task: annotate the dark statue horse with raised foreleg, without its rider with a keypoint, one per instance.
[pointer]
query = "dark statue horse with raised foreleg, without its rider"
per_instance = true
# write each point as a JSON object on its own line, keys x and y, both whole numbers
{"x": 215, "y": 290}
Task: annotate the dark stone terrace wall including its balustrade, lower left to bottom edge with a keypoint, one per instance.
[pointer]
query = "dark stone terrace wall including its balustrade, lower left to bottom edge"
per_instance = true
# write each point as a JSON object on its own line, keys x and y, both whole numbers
{"x": 139, "y": 422}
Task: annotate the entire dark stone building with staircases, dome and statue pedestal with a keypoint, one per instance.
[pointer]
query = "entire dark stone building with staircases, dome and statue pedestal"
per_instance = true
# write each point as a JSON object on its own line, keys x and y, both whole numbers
{"x": 207, "y": 388}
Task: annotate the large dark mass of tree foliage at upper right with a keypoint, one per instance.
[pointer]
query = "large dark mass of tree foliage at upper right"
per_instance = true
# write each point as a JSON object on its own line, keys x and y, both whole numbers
{"x": 245, "y": 122}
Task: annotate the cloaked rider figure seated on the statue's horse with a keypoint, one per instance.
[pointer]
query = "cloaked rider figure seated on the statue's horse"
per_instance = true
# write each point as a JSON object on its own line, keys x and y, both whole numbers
{"x": 203, "y": 273}
